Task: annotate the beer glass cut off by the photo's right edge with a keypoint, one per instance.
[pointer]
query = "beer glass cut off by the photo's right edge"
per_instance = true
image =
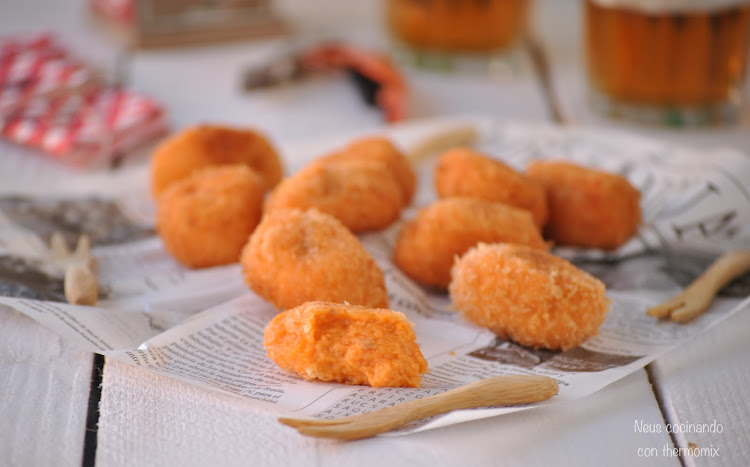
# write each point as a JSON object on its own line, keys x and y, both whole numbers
{"x": 677, "y": 62}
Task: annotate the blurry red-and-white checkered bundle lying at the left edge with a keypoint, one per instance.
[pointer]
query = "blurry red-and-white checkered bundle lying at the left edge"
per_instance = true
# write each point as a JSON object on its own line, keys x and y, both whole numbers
{"x": 55, "y": 103}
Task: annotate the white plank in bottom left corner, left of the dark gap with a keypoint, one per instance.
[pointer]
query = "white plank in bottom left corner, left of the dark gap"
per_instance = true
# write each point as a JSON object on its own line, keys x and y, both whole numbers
{"x": 44, "y": 392}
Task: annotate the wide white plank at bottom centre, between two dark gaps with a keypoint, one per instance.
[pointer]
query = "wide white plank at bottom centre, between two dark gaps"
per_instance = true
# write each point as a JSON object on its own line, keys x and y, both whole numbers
{"x": 150, "y": 419}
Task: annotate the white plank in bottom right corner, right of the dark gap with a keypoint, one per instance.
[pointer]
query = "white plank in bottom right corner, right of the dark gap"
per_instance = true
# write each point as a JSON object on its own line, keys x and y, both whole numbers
{"x": 706, "y": 387}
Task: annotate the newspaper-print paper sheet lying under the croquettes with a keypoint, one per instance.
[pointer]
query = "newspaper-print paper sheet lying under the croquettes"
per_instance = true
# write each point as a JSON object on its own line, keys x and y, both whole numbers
{"x": 205, "y": 326}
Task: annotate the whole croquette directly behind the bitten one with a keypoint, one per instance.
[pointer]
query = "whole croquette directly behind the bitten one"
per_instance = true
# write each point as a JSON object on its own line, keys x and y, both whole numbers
{"x": 297, "y": 256}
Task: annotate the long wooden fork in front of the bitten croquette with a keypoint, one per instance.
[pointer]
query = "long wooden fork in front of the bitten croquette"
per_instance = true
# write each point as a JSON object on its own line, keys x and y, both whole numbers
{"x": 500, "y": 390}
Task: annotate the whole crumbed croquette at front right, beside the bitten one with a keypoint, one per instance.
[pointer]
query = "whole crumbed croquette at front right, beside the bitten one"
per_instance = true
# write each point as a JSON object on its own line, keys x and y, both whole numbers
{"x": 528, "y": 295}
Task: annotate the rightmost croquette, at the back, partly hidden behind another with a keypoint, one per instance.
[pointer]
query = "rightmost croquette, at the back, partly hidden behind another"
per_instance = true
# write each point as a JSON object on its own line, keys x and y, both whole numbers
{"x": 588, "y": 207}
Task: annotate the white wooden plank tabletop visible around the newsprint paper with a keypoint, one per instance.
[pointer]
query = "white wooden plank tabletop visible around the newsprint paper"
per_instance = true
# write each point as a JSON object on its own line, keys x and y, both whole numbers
{"x": 147, "y": 419}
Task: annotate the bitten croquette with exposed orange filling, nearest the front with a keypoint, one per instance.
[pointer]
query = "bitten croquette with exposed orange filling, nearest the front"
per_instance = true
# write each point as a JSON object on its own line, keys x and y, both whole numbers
{"x": 346, "y": 344}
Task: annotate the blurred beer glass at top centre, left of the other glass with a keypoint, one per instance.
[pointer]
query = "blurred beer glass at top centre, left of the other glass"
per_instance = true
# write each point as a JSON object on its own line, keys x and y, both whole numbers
{"x": 434, "y": 32}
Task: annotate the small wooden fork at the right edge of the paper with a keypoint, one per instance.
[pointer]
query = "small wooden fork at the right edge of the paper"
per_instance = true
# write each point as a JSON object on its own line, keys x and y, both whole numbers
{"x": 697, "y": 297}
